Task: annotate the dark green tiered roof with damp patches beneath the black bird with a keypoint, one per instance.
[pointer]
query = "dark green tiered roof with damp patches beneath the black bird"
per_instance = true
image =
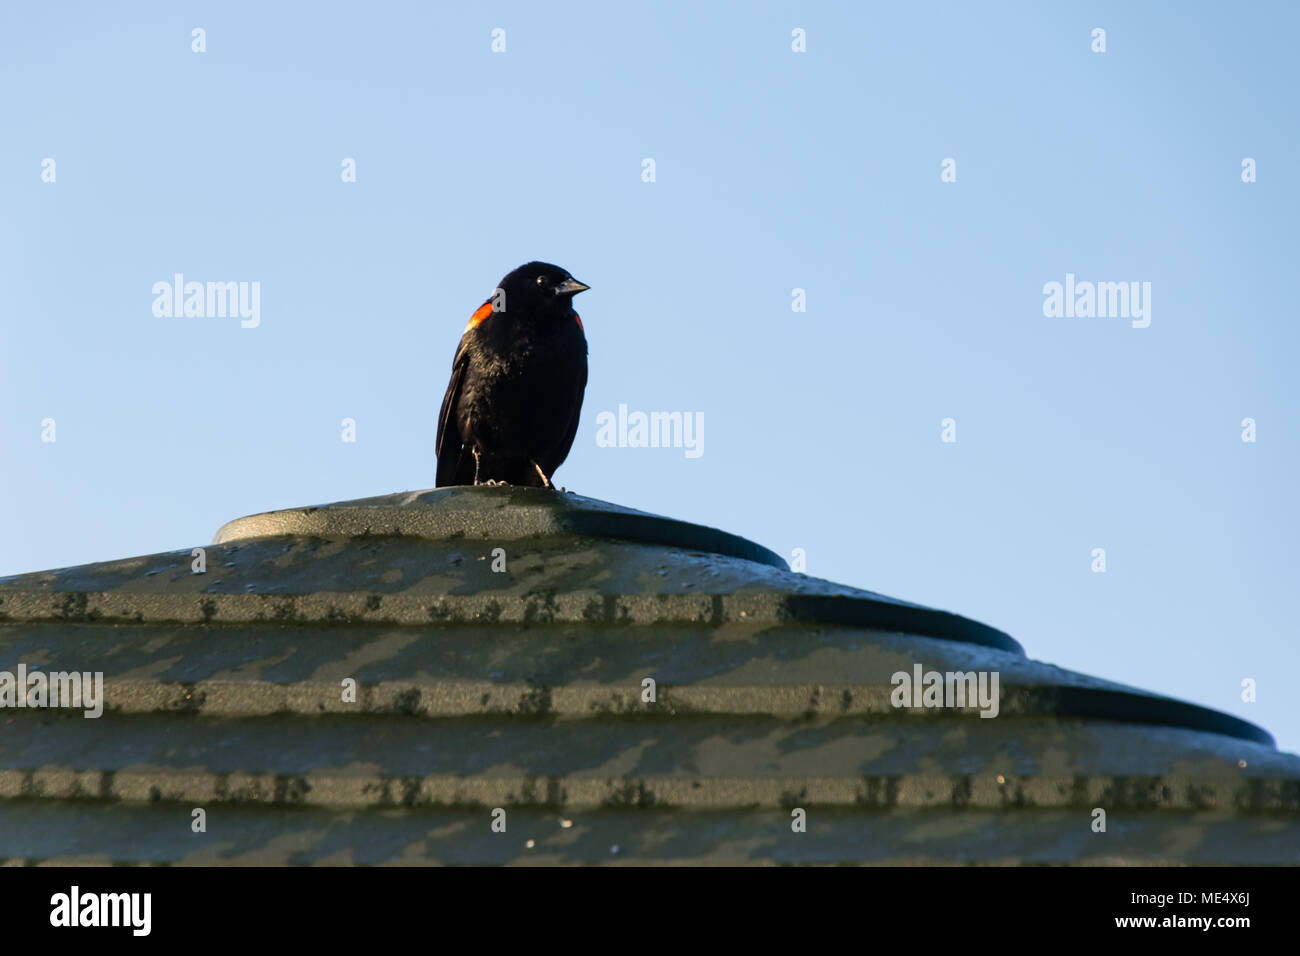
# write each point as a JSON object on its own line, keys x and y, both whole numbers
{"x": 523, "y": 690}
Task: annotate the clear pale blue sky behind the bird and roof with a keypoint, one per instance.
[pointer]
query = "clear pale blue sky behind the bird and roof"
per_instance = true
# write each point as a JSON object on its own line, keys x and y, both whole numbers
{"x": 774, "y": 171}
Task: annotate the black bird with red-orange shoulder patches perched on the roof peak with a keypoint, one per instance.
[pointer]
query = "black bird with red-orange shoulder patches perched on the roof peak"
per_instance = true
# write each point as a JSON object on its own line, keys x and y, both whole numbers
{"x": 517, "y": 387}
